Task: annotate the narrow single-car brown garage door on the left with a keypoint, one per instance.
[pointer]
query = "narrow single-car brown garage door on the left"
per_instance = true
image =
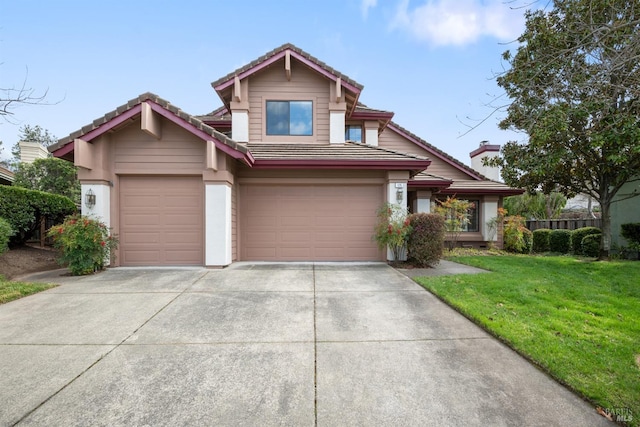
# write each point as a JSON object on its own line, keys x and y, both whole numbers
{"x": 161, "y": 221}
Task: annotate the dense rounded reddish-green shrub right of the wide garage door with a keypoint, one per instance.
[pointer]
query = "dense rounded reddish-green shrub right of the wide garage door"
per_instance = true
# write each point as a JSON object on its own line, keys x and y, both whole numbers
{"x": 426, "y": 240}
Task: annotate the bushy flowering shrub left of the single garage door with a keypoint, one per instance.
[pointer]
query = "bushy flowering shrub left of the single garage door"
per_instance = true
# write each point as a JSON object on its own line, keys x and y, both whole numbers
{"x": 85, "y": 244}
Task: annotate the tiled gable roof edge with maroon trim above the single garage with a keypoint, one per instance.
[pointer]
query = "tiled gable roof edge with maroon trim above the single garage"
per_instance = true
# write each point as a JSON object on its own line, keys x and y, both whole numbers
{"x": 192, "y": 120}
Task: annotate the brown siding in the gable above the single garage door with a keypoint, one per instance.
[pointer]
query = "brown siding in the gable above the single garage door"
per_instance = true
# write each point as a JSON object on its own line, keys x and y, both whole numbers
{"x": 178, "y": 152}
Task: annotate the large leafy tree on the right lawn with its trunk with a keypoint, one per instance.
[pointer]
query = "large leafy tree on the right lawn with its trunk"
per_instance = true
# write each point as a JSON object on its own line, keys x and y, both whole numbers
{"x": 574, "y": 86}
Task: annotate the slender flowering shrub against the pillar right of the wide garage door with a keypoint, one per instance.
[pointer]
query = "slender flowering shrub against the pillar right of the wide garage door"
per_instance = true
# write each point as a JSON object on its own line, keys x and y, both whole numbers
{"x": 392, "y": 229}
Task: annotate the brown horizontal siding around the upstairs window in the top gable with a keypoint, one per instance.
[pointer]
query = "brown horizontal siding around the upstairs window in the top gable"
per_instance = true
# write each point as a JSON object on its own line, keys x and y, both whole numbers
{"x": 272, "y": 84}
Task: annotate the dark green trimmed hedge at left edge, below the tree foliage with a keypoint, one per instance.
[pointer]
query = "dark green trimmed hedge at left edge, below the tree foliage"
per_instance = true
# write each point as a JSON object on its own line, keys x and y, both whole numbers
{"x": 24, "y": 208}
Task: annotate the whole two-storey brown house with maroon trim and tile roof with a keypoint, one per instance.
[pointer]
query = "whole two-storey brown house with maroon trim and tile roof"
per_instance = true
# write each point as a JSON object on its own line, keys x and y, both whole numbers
{"x": 292, "y": 167}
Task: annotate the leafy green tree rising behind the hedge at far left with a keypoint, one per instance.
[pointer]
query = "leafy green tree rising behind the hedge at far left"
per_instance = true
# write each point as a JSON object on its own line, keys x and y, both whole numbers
{"x": 52, "y": 175}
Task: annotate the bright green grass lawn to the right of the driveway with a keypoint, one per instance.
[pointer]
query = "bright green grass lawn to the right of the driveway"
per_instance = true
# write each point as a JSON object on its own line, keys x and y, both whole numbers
{"x": 578, "y": 320}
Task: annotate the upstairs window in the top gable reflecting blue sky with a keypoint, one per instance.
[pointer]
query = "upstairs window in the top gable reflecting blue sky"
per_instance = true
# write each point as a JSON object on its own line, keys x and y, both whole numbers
{"x": 290, "y": 118}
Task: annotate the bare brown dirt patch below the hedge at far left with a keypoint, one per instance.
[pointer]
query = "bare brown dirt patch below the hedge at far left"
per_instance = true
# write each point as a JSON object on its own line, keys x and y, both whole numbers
{"x": 27, "y": 259}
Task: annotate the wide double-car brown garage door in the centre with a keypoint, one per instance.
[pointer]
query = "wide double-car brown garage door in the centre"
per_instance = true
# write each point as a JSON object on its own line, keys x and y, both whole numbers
{"x": 309, "y": 222}
